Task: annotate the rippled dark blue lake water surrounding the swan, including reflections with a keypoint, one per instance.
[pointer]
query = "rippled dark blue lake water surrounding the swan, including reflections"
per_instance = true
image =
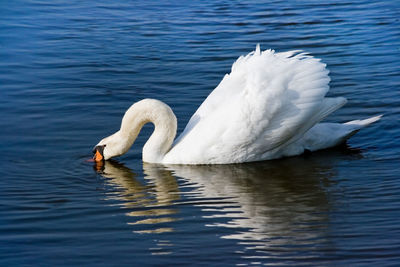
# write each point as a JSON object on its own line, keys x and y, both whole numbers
{"x": 70, "y": 69}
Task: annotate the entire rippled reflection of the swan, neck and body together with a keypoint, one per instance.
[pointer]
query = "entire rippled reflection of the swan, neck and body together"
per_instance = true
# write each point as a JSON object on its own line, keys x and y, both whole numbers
{"x": 283, "y": 202}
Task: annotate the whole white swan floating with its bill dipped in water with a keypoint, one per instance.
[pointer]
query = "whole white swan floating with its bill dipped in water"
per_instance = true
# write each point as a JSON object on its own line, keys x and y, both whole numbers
{"x": 268, "y": 107}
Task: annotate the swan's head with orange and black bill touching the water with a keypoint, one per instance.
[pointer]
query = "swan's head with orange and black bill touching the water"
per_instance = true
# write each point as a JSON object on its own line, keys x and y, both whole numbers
{"x": 109, "y": 147}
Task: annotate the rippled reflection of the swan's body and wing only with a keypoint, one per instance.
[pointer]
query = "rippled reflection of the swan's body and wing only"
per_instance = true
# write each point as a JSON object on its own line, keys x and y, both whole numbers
{"x": 267, "y": 204}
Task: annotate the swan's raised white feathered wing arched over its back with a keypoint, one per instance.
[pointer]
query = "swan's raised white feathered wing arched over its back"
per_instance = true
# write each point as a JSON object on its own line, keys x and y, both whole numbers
{"x": 267, "y": 101}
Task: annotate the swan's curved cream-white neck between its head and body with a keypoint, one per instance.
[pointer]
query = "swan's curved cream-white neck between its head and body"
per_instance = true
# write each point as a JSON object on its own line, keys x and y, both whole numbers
{"x": 165, "y": 125}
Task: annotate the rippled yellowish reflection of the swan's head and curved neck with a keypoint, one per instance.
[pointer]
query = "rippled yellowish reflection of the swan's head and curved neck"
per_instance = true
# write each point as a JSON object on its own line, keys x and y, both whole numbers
{"x": 149, "y": 201}
